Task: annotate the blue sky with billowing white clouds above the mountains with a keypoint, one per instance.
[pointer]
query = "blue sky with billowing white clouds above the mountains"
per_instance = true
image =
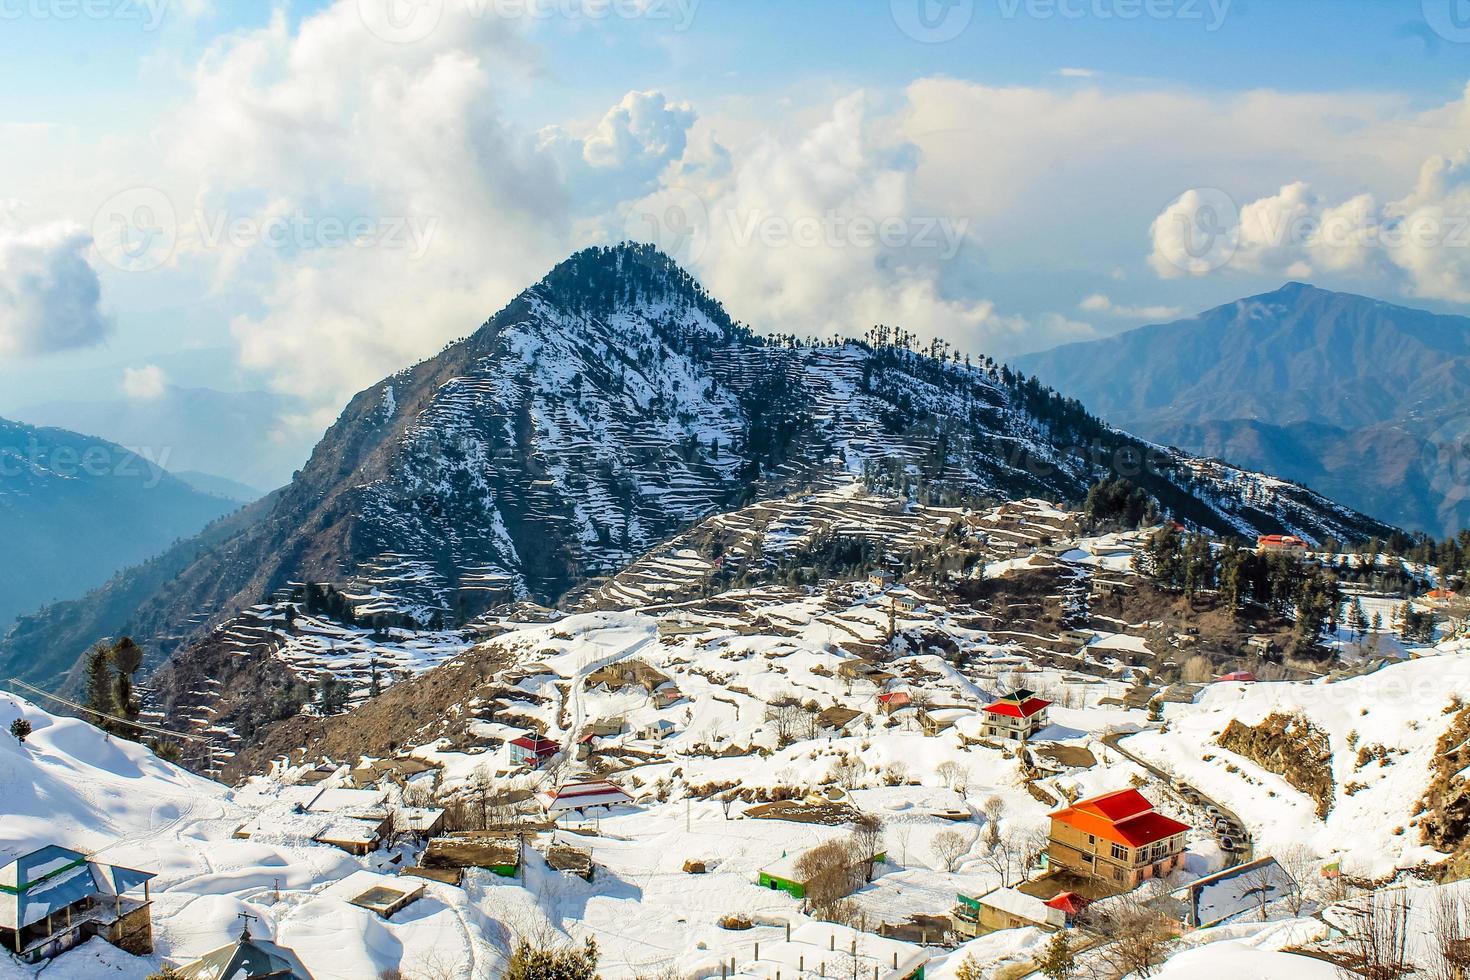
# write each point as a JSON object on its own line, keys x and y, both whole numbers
{"x": 306, "y": 198}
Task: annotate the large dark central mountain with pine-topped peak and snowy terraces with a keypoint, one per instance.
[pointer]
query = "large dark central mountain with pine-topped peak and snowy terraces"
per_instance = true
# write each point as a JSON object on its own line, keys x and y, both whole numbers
{"x": 606, "y": 409}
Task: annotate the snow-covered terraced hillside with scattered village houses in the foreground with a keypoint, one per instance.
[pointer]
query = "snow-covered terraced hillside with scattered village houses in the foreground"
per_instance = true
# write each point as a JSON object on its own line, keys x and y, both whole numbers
{"x": 818, "y": 737}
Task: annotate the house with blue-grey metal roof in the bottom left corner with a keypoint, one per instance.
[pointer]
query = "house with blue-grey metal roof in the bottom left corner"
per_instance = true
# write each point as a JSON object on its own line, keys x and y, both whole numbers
{"x": 57, "y": 898}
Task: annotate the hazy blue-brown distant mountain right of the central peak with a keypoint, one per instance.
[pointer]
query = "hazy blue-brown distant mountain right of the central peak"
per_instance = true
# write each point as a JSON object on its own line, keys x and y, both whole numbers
{"x": 1355, "y": 397}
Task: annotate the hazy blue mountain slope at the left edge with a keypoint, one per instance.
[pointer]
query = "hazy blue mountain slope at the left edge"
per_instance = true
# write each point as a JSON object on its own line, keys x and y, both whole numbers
{"x": 76, "y": 509}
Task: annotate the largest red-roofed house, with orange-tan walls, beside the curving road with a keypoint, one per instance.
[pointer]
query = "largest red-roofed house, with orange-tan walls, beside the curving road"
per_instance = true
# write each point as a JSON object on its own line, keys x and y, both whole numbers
{"x": 1118, "y": 838}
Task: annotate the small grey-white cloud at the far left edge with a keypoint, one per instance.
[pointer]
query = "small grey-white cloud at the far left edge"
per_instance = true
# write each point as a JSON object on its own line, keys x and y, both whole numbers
{"x": 51, "y": 298}
